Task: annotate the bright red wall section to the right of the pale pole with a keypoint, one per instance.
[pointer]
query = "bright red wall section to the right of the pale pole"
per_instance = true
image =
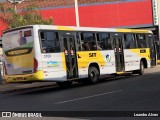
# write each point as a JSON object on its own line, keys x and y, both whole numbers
{"x": 115, "y": 15}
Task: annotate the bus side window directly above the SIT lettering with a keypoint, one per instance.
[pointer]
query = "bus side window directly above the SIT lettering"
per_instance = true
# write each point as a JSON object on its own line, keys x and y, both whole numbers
{"x": 88, "y": 41}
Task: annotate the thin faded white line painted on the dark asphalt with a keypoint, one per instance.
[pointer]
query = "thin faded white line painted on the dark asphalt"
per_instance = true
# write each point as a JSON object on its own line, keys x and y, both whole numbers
{"x": 88, "y": 97}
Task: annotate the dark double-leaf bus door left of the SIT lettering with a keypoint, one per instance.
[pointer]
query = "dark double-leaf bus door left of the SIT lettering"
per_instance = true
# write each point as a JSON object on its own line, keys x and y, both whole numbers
{"x": 69, "y": 47}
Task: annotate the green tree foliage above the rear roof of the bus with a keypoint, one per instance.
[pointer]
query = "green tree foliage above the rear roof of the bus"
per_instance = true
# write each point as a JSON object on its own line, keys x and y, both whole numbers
{"x": 29, "y": 16}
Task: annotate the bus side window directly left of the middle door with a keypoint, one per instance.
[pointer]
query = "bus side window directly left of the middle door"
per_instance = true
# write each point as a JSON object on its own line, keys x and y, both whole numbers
{"x": 104, "y": 41}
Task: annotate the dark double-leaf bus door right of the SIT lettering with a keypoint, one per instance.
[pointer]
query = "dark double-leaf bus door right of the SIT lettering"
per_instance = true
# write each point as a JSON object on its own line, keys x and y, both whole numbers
{"x": 119, "y": 55}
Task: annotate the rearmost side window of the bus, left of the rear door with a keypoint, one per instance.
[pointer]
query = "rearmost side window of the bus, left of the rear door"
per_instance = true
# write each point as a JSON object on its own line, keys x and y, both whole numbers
{"x": 49, "y": 42}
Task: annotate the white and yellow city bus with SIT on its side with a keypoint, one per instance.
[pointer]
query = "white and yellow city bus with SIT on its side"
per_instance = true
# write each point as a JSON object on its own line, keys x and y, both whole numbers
{"x": 65, "y": 53}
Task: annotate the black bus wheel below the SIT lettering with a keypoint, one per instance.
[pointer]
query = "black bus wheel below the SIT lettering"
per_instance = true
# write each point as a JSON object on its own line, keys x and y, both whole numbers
{"x": 93, "y": 75}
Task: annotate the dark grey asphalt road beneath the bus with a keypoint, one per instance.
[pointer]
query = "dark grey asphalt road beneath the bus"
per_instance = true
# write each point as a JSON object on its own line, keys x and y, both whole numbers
{"x": 130, "y": 93}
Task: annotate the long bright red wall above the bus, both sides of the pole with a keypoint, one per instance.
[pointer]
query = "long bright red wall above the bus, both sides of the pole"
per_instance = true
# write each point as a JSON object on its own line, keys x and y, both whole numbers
{"x": 127, "y": 13}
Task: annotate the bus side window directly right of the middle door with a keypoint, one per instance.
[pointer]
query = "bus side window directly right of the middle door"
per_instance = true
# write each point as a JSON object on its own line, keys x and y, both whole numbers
{"x": 129, "y": 40}
